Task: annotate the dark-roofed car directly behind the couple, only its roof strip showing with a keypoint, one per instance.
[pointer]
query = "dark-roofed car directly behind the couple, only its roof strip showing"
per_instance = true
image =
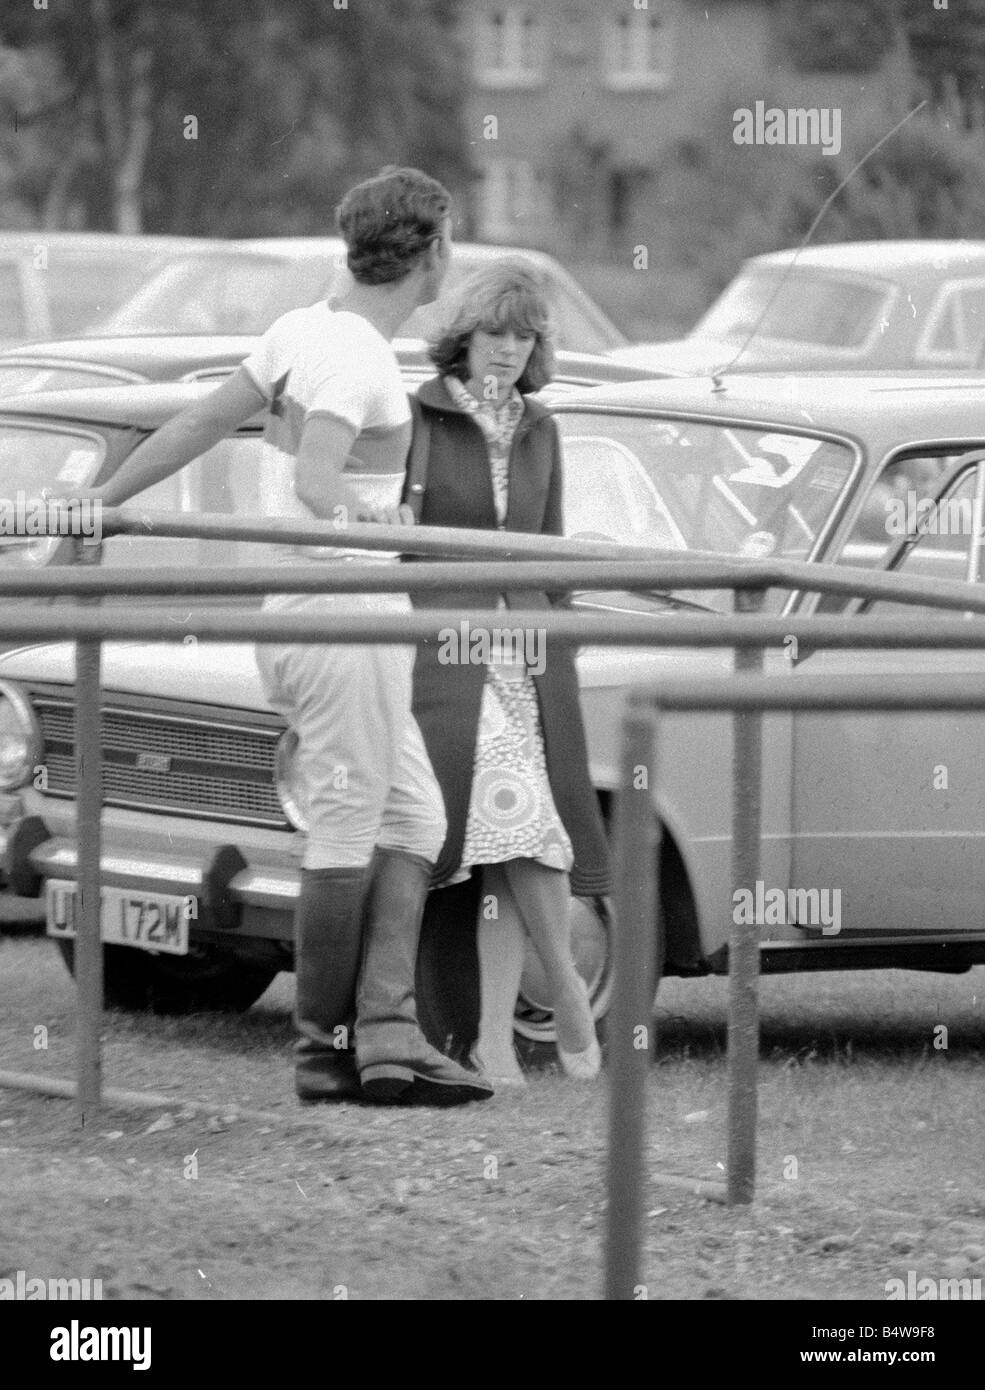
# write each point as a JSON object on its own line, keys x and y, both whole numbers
{"x": 108, "y": 362}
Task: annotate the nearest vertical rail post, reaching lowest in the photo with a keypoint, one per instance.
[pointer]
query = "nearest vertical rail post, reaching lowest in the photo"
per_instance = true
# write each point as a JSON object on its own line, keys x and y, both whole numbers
{"x": 631, "y": 1014}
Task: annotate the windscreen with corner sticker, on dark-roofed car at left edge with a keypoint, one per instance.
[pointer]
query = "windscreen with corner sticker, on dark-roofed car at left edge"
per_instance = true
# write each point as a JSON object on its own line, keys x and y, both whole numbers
{"x": 37, "y": 462}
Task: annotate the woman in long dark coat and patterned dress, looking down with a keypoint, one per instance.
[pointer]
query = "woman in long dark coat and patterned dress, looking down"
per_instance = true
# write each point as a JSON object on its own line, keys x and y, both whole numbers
{"x": 504, "y": 726}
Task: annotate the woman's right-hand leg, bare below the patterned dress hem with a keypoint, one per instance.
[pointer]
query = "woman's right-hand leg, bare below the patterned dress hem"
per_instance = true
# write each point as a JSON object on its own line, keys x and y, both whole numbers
{"x": 544, "y": 899}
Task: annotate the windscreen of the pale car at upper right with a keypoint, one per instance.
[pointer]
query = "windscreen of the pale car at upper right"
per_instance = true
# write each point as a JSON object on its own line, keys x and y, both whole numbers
{"x": 800, "y": 308}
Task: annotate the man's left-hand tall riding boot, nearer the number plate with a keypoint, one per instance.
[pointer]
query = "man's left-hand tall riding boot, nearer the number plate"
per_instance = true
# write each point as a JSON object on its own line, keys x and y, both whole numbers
{"x": 329, "y": 946}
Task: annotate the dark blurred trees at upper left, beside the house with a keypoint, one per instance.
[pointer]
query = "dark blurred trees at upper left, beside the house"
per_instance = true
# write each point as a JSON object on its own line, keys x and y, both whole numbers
{"x": 222, "y": 116}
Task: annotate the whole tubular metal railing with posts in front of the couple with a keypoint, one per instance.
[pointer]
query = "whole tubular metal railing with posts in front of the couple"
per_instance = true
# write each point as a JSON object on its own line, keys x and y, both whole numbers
{"x": 504, "y": 562}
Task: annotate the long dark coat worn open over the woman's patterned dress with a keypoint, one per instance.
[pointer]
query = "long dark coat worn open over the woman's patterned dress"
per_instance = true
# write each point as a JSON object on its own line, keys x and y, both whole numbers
{"x": 448, "y": 697}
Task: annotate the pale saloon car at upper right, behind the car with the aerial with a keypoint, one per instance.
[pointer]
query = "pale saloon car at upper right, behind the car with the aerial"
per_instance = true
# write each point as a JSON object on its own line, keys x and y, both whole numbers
{"x": 861, "y": 305}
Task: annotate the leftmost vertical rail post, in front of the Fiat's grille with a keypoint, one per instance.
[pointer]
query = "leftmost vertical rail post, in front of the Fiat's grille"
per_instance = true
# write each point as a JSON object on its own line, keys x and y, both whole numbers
{"x": 90, "y": 803}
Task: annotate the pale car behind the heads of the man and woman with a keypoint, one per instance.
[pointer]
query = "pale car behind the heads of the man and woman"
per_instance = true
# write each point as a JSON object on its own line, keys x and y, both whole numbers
{"x": 256, "y": 281}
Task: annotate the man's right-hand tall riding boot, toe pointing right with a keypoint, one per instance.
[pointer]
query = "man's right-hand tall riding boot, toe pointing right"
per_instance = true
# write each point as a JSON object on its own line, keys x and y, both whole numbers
{"x": 395, "y": 1060}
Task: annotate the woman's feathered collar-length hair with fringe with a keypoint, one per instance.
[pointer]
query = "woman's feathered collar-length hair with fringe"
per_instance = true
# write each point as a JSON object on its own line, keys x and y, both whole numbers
{"x": 511, "y": 293}
